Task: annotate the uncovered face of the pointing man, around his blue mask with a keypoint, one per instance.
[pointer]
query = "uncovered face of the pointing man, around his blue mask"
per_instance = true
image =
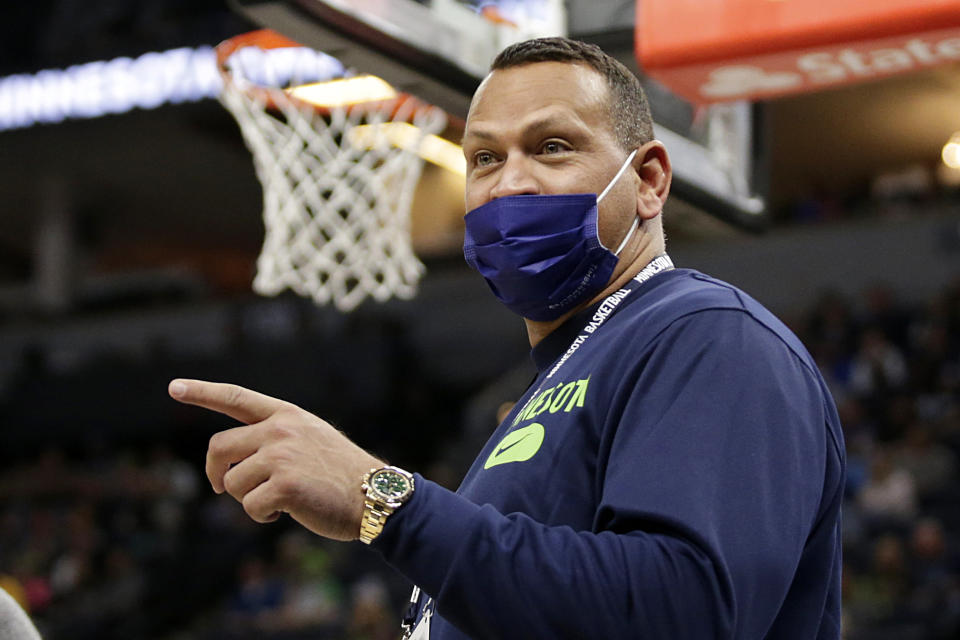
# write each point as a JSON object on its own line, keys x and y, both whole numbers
{"x": 544, "y": 128}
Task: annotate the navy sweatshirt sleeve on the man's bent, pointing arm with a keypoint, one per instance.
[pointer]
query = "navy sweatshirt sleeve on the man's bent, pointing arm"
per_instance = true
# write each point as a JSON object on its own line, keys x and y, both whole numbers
{"x": 713, "y": 477}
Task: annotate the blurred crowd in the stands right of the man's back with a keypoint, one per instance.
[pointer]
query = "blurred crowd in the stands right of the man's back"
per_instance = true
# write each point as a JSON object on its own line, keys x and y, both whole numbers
{"x": 894, "y": 370}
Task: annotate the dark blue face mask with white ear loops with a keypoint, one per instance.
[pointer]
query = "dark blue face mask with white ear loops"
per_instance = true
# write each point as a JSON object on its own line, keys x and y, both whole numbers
{"x": 541, "y": 254}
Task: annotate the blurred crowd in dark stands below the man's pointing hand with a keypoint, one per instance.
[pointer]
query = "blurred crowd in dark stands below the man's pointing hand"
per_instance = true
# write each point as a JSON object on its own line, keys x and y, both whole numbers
{"x": 124, "y": 544}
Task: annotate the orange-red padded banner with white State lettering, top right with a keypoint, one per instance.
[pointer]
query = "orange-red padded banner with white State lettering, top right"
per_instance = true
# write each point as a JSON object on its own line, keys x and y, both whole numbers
{"x": 721, "y": 50}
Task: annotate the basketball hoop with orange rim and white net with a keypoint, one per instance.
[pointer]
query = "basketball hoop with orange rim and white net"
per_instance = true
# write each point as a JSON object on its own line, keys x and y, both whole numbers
{"x": 337, "y": 184}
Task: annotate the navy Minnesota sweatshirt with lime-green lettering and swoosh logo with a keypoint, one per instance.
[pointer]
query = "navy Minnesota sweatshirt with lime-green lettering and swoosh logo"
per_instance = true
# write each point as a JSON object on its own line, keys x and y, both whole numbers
{"x": 678, "y": 476}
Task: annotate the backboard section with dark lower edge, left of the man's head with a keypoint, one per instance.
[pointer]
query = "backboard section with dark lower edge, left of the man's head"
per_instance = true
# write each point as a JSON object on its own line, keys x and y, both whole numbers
{"x": 437, "y": 50}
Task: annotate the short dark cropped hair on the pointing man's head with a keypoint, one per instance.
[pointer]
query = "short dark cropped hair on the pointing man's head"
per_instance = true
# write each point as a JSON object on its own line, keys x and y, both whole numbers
{"x": 629, "y": 111}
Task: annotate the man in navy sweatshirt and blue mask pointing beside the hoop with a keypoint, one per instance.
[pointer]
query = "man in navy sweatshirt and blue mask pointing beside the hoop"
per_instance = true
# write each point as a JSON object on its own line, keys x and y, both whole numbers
{"x": 676, "y": 469}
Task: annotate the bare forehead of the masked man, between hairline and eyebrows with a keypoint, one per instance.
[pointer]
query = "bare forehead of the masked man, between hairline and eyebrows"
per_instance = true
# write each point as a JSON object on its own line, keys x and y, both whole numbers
{"x": 511, "y": 97}
